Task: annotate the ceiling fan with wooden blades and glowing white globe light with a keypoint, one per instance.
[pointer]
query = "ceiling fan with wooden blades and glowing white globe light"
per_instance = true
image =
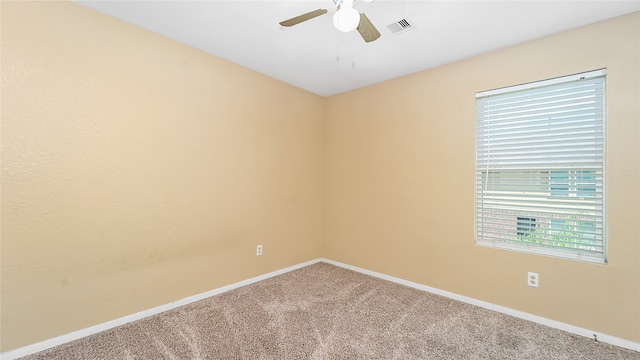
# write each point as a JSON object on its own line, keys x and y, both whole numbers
{"x": 345, "y": 19}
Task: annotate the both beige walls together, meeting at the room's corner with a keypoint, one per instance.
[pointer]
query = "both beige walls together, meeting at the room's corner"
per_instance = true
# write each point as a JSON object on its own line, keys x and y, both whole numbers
{"x": 137, "y": 171}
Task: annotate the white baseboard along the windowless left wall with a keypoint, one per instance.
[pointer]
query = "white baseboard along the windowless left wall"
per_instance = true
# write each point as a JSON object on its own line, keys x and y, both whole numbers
{"x": 59, "y": 340}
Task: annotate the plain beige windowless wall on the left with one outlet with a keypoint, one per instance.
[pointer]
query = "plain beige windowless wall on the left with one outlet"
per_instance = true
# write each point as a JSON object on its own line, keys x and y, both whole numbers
{"x": 137, "y": 171}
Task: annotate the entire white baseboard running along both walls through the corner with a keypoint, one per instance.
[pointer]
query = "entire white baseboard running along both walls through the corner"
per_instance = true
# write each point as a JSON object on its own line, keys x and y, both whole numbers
{"x": 59, "y": 340}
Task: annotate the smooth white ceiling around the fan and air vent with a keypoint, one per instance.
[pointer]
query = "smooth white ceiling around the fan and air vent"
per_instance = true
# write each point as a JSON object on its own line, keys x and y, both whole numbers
{"x": 316, "y": 57}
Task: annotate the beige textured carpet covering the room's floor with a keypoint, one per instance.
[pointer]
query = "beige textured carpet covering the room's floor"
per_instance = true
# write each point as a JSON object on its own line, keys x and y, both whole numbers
{"x": 326, "y": 312}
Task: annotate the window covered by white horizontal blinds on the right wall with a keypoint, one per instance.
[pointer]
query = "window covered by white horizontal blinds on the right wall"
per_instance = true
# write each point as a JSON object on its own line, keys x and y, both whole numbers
{"x": 540, "y": 167}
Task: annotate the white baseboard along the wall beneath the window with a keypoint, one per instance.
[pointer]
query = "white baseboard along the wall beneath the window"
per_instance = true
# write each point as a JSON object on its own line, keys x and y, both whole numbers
{"x": 613, "y": 340}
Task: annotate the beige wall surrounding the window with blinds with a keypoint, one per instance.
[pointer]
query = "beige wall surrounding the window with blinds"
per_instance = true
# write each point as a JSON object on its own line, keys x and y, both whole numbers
{"x": 399, "y": 180}
